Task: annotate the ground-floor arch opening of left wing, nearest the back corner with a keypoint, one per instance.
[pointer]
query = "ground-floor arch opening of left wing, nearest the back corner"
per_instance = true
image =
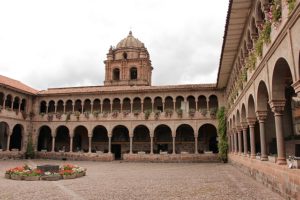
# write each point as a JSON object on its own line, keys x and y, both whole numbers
{"x": 17, "y": 137}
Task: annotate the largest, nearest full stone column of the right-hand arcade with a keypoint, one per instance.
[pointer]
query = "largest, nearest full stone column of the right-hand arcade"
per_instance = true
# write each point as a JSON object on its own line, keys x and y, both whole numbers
{"x": 278, "y": 108}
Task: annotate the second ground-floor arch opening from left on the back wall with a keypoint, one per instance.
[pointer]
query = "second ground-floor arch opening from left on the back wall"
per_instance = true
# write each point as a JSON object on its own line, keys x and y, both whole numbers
{"x": 62, "y": 139}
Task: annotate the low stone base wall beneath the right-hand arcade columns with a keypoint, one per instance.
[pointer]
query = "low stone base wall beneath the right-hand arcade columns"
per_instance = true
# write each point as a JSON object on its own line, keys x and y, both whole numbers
{"x": 279, "y": 178}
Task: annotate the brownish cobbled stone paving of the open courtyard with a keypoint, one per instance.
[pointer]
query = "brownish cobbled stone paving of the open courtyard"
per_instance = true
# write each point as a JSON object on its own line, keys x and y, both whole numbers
{"x": 143, "y": 181}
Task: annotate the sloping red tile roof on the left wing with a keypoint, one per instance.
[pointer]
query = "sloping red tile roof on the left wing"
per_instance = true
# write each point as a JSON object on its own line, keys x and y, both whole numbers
{"x": 16, "y": 85}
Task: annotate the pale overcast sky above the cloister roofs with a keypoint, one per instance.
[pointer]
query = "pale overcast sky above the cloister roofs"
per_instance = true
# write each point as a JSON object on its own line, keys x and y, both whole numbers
{"x": 59, "y": 43}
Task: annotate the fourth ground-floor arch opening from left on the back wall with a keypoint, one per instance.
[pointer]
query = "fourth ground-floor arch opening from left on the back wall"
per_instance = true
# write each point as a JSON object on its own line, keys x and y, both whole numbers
{"x": 100, "y": 139}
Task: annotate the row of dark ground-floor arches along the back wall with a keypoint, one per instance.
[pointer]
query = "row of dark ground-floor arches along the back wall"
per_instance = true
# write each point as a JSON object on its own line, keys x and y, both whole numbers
{"x": 120, "y": 141}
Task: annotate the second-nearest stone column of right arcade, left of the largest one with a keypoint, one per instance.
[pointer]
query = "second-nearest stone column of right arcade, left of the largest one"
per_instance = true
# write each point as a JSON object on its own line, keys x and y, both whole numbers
{"x": 262, "y": 116}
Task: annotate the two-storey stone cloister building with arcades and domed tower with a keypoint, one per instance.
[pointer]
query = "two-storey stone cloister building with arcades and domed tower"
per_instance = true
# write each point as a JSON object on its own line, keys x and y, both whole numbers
{"x": 258, "y": 83}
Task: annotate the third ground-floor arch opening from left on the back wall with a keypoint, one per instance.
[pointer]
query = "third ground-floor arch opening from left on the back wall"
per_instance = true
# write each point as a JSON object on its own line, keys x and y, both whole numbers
{"x": 80, "y": 139}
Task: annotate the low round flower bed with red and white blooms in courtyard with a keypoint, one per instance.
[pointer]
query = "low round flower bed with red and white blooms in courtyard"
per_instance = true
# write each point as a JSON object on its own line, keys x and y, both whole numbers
{"x": 27, "y": 173}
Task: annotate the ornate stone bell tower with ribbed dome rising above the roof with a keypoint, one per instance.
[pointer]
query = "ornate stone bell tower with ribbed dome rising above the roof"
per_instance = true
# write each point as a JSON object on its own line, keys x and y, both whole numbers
{"x": 128, "y": 64}
